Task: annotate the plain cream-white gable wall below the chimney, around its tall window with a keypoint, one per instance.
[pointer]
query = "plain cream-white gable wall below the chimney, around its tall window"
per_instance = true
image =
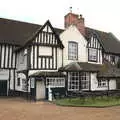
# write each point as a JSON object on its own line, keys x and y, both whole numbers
{"x": 72, "y": 34}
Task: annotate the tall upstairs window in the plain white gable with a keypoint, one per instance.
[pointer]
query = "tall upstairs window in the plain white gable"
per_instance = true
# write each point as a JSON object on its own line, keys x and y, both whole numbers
{"x": 72, "y": 50}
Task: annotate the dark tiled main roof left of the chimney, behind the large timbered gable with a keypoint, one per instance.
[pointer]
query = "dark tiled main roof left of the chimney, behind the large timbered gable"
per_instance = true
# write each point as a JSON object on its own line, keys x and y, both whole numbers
{"x": 18, "y": 33}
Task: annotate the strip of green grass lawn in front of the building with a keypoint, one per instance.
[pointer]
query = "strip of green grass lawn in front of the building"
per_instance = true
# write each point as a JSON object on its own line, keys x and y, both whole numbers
{"x": 89, "y": 102}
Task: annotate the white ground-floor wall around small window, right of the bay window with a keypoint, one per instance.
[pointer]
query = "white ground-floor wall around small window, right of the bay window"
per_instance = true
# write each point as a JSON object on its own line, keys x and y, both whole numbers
{"x": 94, "y": 83}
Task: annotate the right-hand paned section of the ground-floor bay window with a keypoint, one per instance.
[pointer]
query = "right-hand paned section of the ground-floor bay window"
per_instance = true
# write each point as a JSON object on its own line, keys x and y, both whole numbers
{"x": 85, "y": 79}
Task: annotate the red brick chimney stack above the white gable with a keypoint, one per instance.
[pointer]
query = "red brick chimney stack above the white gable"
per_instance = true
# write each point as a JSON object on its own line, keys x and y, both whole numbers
{"x": 74, "y": 19}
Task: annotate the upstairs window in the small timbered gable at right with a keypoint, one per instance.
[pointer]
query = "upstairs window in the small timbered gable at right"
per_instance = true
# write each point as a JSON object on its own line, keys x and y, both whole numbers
{"x": 92, "y": 54}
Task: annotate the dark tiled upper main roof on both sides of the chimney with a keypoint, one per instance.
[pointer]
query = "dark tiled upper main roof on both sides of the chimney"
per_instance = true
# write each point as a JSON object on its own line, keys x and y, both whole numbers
{"x": 18, "y": 33}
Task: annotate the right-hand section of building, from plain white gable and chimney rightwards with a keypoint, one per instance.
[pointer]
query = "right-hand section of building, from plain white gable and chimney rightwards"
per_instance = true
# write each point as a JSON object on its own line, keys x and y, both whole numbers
{"x": 90, "y": 57}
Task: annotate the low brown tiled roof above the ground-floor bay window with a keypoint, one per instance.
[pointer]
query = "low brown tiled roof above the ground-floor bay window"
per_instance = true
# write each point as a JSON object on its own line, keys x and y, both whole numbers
{"x": 104, "y": 70}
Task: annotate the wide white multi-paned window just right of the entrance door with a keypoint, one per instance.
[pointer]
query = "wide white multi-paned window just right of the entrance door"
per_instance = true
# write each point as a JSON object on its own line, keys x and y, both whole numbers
{"x": 55, "y": 82}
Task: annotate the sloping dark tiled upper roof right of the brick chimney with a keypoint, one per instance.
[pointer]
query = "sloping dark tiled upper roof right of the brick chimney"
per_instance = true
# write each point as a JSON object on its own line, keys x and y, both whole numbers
{"x": 109, "y": 42}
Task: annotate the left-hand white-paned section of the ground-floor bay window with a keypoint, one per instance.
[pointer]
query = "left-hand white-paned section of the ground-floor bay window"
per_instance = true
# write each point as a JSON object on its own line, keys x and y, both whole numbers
{"x": 73, "y": 81}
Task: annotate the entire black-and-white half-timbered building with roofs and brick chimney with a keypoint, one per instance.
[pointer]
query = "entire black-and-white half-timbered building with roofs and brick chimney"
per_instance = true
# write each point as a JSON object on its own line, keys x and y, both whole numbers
{"x": 78, "y": 58}
